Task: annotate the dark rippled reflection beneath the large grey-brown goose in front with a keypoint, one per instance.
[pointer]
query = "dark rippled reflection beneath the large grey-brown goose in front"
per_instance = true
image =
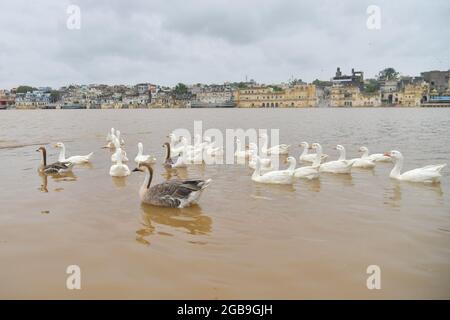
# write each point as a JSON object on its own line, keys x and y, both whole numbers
{"x": 191, "y": 220}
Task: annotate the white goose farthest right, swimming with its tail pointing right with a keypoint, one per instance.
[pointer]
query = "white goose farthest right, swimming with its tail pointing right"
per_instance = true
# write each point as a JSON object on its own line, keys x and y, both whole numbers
{"x": 427, "y": 174}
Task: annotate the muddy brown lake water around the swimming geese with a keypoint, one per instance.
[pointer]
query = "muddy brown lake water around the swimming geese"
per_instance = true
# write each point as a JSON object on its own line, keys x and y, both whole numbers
{"x": 244, "y": 240}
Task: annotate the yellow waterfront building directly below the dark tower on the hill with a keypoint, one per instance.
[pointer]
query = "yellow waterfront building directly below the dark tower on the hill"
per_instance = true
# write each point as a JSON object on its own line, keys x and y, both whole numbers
{"x": 351, "y": 96}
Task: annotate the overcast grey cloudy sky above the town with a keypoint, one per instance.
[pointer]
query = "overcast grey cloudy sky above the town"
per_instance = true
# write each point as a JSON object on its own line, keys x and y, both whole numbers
{"x": 213, "y": 41}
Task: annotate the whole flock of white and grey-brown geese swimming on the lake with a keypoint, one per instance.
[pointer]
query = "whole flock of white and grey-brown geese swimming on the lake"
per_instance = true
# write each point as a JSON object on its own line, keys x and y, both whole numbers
{"x": 180, "y": 193}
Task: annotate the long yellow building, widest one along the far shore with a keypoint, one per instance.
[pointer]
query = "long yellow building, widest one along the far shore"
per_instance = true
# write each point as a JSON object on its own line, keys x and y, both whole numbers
{"x": 267, "y": 97}
